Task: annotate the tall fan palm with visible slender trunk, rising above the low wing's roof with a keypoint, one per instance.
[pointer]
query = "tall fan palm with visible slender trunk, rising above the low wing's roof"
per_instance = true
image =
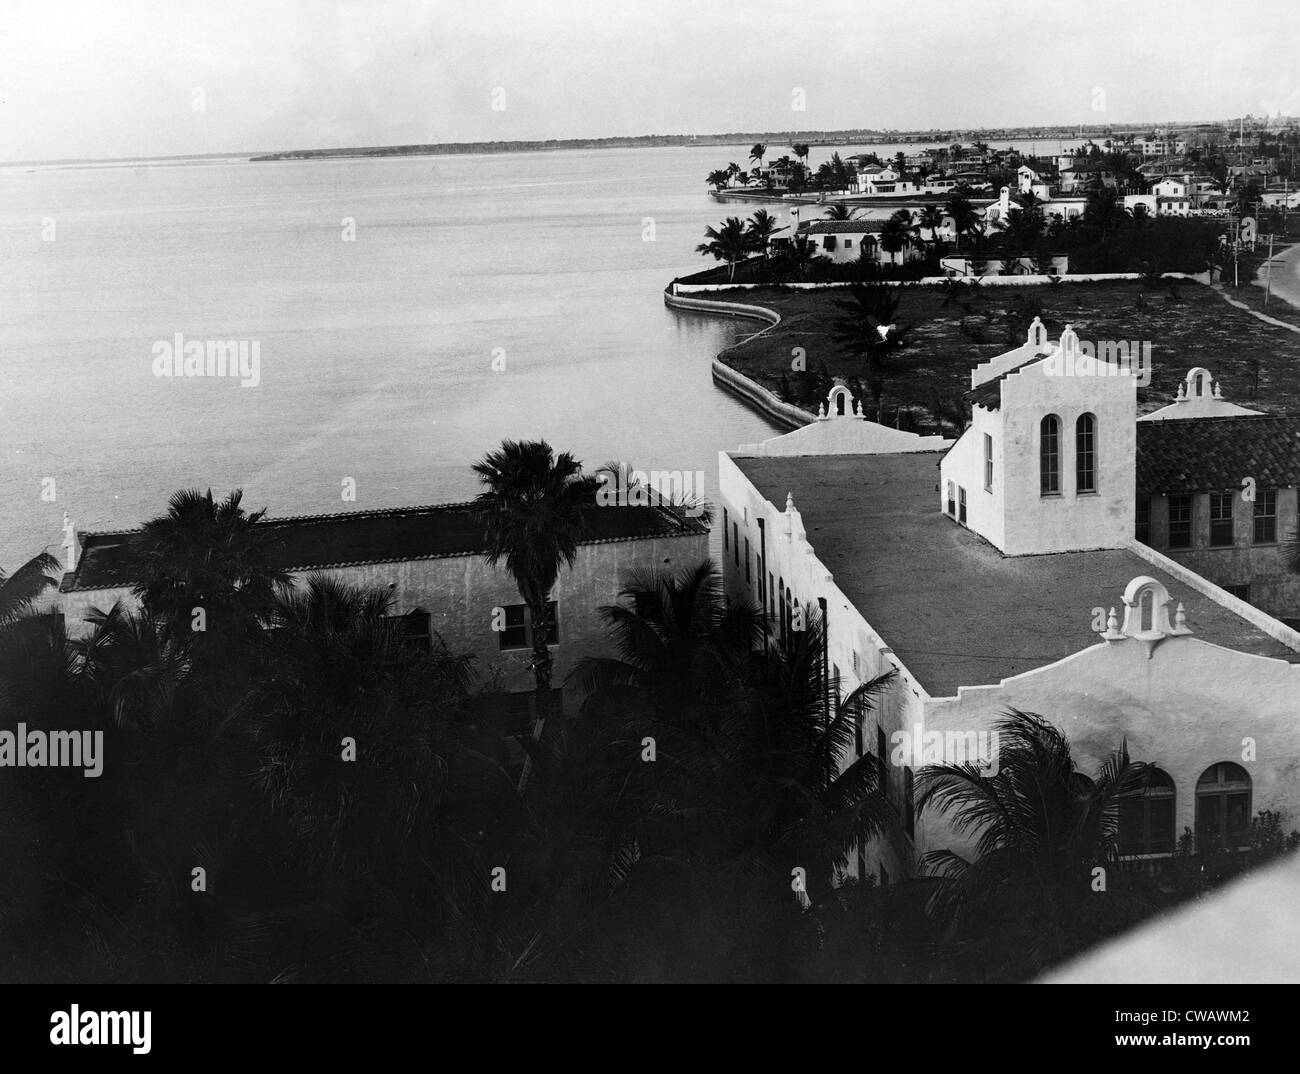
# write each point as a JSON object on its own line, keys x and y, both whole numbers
{"x": 534, "y": 505}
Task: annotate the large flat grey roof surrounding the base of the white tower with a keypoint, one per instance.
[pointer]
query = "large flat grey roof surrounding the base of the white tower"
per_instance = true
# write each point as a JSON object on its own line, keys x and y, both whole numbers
{"x": 955, "y": 610}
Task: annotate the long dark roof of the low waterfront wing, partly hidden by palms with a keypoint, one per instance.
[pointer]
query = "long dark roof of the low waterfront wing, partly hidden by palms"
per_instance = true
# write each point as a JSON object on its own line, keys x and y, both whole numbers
{"x": 306, "y": 543}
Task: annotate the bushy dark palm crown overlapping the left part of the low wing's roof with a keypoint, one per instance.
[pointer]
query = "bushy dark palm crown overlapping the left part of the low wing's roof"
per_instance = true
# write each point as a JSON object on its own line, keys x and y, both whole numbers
{"x": 211, "y": 556}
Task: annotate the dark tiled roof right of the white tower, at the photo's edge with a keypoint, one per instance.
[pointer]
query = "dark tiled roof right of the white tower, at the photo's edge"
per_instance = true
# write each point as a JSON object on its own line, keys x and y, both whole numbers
{"x": 1210, "y": 454}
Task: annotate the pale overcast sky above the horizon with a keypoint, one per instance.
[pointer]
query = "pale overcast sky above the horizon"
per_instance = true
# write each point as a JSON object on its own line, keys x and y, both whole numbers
{"x": 118, "y": 79}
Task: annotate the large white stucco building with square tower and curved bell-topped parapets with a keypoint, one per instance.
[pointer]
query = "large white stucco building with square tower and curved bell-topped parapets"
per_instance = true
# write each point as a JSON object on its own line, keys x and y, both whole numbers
{"x": 1003, "y": 573}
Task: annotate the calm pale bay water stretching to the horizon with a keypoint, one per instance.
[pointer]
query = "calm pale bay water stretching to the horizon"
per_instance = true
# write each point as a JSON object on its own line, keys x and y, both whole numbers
{"x": 376, "y": 354}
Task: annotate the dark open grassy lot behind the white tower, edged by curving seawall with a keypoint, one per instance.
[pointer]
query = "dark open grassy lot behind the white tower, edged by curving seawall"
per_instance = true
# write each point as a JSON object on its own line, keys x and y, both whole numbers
{"x": 1188, "y": 326}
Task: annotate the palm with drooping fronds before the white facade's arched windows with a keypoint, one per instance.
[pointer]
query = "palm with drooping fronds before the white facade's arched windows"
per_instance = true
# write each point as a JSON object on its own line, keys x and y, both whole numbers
{"x": 1041, "y": 830}
